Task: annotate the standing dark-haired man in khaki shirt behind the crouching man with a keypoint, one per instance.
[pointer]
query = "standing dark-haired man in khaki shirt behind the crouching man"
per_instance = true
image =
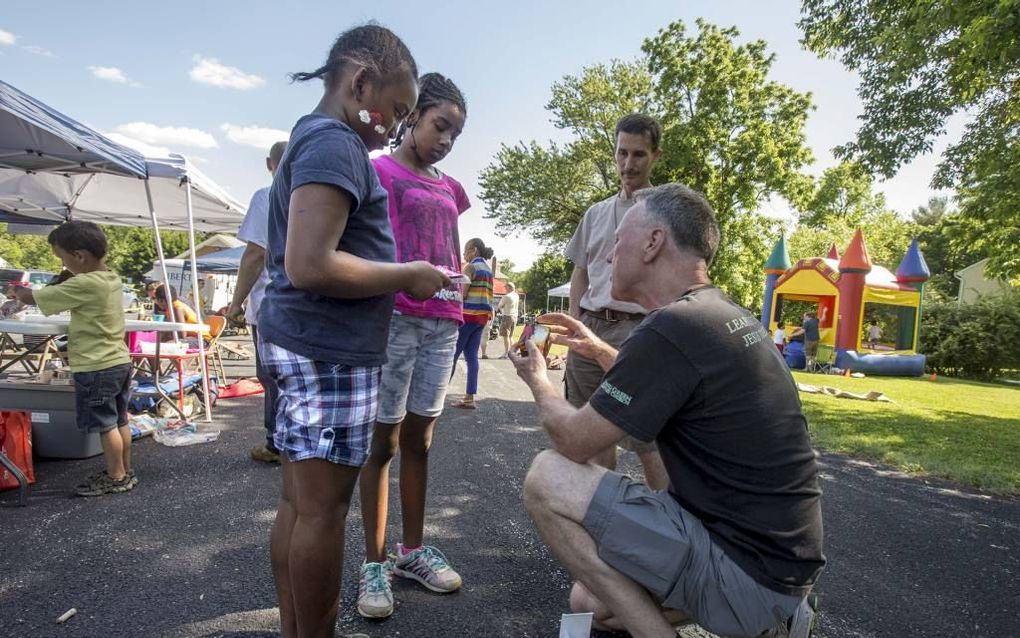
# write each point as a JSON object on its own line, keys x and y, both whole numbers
{"x": 638, "y": 138}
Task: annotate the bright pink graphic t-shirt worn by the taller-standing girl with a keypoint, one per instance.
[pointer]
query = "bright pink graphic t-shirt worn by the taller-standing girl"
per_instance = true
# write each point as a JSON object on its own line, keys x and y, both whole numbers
{"x": 424, "y": 214}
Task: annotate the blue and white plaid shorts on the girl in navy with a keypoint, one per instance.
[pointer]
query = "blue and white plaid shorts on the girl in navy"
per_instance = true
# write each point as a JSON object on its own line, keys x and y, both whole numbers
{"x": 324, "y": 411}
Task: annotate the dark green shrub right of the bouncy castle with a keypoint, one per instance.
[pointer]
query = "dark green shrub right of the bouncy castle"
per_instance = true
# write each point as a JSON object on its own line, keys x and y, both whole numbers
{"x": 980, "y": 340}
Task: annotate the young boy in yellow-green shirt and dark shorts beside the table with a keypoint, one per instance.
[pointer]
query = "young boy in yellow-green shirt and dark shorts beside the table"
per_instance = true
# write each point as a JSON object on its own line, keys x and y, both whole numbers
{"x": 98, "y": 354}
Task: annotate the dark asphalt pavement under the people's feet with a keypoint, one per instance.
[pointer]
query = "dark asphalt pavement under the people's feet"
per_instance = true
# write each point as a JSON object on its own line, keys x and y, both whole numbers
{"x": 186, "y": 554}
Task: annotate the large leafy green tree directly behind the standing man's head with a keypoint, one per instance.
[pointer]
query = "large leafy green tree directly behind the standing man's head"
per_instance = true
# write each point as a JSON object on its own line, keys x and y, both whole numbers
{"x": 729, "y": 132}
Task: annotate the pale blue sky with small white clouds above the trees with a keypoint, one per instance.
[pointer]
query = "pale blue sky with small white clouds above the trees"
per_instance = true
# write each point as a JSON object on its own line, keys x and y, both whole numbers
{"x": 209, "y": 80}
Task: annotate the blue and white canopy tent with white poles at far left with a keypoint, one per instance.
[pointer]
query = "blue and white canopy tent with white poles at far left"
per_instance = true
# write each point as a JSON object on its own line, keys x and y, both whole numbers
{"x": 54, "y": 169}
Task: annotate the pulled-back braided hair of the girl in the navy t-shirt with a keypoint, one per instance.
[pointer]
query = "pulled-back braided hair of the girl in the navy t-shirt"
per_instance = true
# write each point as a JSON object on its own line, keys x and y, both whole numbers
{"x": 375, "y": 47}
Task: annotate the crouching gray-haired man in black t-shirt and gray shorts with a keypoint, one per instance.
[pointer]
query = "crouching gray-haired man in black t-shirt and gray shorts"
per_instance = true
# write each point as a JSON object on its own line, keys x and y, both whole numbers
{"x": 736, "y": 544}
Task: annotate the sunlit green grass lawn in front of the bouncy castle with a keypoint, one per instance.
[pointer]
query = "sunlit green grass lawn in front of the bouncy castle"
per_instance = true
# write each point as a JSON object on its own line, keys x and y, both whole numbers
{"x": 959, "y": 430}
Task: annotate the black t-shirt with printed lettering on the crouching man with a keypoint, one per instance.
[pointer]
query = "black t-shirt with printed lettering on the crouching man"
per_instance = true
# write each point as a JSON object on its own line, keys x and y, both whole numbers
{"x": 724, "y": 409}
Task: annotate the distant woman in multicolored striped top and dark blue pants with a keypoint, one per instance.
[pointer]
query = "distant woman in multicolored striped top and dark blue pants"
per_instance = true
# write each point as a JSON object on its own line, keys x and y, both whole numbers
{"x": 478, "y": 315}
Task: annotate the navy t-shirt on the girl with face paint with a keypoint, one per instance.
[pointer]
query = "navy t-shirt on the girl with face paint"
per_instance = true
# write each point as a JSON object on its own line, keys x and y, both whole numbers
{"x": 351, "y": 332}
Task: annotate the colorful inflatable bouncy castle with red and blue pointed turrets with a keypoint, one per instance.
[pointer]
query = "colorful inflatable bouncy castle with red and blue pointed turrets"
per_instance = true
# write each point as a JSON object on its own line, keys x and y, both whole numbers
{"x": 844, "y": 290}
